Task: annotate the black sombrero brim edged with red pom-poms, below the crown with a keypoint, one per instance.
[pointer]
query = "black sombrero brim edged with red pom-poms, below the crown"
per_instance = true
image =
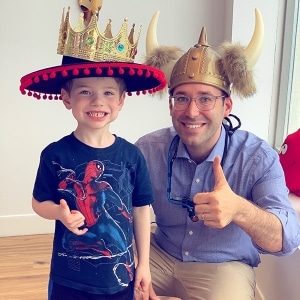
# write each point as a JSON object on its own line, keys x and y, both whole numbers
{"x": 47, "y": 83}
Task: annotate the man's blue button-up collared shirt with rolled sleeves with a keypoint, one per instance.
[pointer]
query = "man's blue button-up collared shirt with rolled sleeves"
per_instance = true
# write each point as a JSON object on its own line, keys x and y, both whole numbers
{"x": 253, "y": 171}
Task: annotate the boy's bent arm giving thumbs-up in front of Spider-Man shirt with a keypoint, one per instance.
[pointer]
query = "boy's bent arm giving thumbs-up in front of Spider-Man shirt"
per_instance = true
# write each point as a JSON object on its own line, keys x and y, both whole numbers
{"x": 49, "y": 210}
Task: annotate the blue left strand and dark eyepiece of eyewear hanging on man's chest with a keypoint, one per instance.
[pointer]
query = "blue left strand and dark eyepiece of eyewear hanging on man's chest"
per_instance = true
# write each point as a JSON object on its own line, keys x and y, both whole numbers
{"x": 185, "y": 202}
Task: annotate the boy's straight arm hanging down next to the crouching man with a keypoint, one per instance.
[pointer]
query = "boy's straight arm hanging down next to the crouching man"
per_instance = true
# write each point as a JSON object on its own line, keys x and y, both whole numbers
{"x": 141, "y": 227}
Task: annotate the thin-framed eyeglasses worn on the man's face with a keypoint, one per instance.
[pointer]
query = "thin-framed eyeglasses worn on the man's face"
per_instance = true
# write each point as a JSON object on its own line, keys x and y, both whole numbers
{"x": 204, "y": 102}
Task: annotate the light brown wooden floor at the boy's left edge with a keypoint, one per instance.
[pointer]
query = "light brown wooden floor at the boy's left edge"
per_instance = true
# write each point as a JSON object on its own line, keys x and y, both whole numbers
{"x": 24, "y": 267}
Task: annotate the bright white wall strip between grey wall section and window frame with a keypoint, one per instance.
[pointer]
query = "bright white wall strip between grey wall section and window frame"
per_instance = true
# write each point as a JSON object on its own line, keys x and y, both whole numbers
{"x": 255, "y": 112}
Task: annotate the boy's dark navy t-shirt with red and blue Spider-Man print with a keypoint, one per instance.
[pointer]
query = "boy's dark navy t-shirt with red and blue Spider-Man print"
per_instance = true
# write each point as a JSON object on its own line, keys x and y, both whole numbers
{"x": 103, "y": 184}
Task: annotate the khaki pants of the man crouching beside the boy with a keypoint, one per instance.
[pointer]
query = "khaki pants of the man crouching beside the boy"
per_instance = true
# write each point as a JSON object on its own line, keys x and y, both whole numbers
{"x": 200, "y": 281}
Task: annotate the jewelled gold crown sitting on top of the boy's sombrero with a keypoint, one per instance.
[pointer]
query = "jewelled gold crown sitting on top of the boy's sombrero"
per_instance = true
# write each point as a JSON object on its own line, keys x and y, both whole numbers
{"x": 88, "y": 43}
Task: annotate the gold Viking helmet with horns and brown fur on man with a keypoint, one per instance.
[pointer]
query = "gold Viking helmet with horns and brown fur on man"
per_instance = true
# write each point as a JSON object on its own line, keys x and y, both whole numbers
{"x": 228, "y": 68}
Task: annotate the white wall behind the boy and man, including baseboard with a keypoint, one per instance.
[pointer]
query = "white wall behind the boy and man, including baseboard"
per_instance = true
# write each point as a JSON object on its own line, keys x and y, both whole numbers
{"x": 29, "y": 41}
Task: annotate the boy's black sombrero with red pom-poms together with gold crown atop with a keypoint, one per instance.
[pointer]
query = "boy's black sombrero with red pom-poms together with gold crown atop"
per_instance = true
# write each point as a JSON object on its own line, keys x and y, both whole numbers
{"x": 89, "y": 53}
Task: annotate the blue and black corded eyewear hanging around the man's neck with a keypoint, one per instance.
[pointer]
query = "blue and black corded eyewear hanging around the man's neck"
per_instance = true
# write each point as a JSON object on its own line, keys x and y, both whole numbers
{"x": 187, "y": 202}
